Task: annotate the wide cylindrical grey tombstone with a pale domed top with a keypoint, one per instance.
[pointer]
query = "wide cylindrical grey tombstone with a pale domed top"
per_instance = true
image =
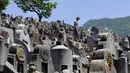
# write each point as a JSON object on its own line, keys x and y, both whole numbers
{"x": 61, "y": 58}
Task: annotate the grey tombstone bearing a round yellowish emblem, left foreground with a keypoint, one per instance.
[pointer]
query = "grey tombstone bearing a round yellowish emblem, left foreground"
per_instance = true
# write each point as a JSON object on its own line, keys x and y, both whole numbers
{"x": 17, "y": 57}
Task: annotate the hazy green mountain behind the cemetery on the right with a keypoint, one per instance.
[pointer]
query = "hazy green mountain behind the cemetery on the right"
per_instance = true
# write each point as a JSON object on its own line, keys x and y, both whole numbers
{"x": 118, "y": 25}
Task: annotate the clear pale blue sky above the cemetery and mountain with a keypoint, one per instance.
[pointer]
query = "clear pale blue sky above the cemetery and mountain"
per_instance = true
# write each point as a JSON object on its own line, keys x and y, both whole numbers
{"x": 68, "y": 10}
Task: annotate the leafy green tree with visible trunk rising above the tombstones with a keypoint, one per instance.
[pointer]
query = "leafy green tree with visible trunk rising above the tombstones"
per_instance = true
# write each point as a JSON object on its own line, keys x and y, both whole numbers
{"x": 41, "y": 7}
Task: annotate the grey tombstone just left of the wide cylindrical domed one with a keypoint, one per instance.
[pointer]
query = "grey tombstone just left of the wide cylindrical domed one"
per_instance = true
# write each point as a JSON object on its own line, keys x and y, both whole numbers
{"x": 41, "y": 59}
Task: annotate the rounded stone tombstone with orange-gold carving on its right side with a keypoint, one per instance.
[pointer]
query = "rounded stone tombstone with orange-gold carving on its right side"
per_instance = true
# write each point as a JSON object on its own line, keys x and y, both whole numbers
{"x": 102, "y": 62}
